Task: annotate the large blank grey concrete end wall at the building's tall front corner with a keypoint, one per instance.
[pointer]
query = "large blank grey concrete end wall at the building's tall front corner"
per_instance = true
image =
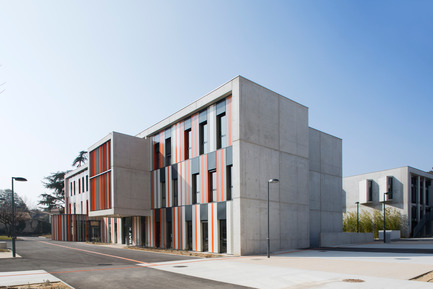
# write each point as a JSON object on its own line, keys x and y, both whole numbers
{"x": 272, "y": 143}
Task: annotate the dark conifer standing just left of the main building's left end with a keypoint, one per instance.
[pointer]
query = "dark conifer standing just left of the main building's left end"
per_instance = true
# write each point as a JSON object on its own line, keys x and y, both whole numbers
{"x": 55, "y": 199}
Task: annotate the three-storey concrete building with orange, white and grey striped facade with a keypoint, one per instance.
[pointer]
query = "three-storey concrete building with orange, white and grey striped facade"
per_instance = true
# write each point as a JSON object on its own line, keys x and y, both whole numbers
{"x": 198, "y": 179}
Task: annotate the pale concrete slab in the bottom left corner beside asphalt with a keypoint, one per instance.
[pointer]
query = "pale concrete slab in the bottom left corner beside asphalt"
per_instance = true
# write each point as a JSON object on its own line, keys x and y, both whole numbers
{"x": 26, "y": 277}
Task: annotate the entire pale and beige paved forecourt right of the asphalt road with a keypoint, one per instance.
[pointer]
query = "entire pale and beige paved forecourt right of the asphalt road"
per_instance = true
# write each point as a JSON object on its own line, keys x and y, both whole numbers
{"x": 352, "y": 266}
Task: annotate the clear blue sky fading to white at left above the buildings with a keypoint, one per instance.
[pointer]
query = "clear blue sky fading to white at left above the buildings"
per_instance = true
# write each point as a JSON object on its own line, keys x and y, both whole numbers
{"x": 73, "y": 71}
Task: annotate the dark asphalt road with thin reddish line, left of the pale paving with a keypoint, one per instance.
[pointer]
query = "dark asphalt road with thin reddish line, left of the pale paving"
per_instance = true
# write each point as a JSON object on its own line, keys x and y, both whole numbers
{"x": 91, "y": 266}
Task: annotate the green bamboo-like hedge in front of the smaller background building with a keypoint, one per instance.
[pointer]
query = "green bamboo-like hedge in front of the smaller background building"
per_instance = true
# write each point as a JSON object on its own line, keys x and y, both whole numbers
{"x": 372, "y": 222}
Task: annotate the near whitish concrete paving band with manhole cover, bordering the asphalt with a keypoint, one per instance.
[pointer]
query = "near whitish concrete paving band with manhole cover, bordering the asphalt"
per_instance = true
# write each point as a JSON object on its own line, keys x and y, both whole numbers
{"x": 277, "y": 277}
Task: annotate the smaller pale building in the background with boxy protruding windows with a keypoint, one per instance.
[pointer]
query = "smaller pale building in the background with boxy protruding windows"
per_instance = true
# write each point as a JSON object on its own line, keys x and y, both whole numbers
{"x": 409, "y": 191}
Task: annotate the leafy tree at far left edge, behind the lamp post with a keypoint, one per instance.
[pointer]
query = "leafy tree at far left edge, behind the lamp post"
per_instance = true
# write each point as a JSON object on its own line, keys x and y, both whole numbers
{"x": 21, "y": 211}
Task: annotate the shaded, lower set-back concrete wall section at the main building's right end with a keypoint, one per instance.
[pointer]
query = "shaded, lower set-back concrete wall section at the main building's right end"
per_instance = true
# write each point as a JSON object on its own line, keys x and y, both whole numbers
{"x": 325, "y": 188}
